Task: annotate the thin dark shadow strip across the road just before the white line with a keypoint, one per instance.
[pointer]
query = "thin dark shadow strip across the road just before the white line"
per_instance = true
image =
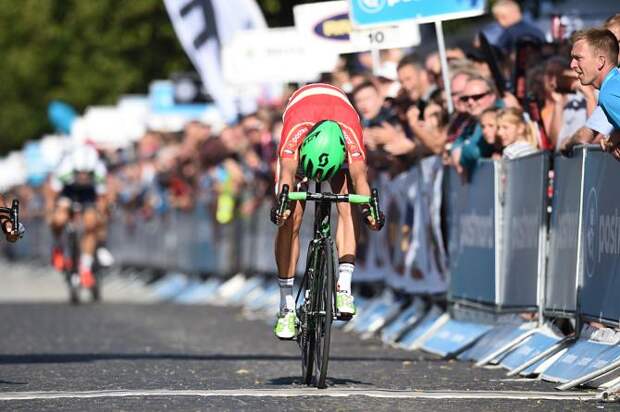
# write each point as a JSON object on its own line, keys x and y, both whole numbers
{"x": 93, "y": 357}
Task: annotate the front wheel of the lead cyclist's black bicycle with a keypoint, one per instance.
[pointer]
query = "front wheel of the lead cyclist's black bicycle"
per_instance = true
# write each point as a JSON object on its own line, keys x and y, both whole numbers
{"x": 324, "y": 310}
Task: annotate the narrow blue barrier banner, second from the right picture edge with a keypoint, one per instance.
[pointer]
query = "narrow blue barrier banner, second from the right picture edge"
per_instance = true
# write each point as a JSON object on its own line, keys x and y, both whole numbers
{"x": 561, "y": 279}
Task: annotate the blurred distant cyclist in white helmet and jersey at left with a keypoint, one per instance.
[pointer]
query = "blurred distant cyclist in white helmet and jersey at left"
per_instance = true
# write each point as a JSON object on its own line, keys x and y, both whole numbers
{"x": 80, "y": 180}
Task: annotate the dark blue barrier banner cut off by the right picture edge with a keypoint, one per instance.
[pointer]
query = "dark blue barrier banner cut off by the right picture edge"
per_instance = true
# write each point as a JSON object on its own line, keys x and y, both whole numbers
{"x": 601, "y": 238}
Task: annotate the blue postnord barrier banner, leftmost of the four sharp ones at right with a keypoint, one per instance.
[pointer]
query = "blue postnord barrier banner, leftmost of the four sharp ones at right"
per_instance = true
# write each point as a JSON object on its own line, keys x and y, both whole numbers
{"x": 471, "y": 239}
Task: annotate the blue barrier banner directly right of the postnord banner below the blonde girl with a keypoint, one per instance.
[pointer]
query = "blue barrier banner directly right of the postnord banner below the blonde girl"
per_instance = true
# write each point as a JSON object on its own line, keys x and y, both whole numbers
{"x": 525, "y": 182}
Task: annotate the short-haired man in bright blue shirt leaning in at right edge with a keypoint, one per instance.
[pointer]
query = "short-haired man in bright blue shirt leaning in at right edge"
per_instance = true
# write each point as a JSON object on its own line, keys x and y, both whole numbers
{"x": 594, "y": 59}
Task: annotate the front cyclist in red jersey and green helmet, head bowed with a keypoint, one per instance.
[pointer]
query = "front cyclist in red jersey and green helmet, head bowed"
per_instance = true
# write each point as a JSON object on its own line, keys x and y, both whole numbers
{"x": 319, "y": 126}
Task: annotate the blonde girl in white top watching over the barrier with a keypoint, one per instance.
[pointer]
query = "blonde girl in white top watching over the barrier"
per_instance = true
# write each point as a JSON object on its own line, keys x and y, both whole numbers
{"x": 515, "y": 133}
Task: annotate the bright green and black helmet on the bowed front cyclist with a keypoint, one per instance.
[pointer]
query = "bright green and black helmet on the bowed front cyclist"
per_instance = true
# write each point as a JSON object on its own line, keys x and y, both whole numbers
{"x": 322, "y": 152}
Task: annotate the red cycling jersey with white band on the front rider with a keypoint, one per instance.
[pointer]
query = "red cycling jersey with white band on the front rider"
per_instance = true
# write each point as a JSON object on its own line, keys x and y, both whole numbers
{"x": 315, "y": 102}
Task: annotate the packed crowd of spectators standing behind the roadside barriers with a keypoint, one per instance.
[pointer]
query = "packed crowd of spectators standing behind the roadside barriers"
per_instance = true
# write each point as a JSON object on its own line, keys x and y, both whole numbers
{"x": 513, "y": 93}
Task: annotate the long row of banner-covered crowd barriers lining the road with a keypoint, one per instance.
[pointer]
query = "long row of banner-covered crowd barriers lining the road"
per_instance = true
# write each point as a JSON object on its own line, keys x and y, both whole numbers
{"x": 496, "y": 237}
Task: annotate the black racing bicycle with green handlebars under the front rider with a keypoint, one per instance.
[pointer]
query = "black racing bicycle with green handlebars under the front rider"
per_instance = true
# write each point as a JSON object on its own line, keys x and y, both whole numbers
{"x": 316, "y": 299}
